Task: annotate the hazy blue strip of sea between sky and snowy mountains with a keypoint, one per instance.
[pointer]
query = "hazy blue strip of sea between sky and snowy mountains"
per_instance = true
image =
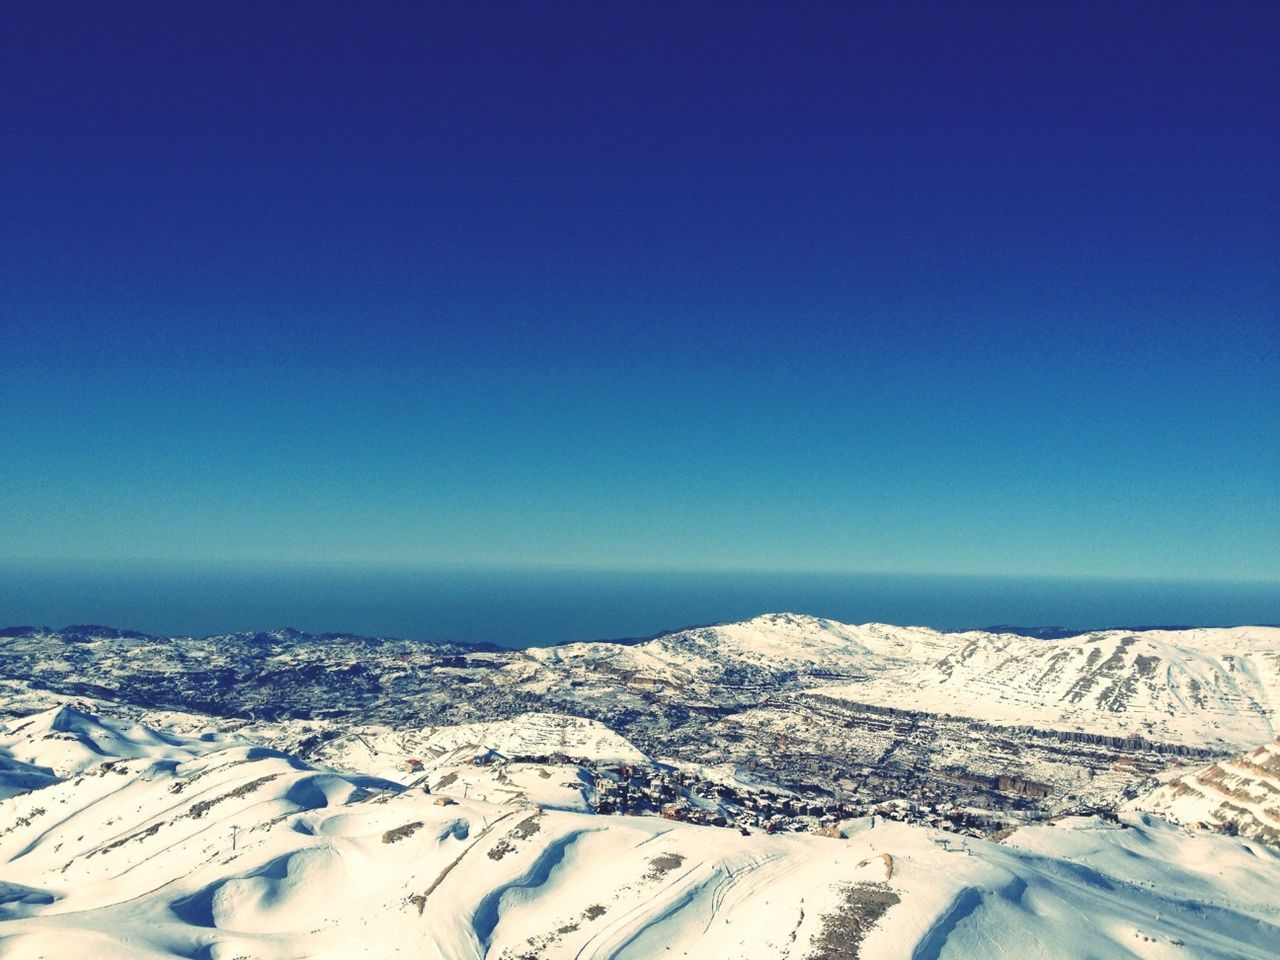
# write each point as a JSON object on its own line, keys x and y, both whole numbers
{"x": 527, "y": 609}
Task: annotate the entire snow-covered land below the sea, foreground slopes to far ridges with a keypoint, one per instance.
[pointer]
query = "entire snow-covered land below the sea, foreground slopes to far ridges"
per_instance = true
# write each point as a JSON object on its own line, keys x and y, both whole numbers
{"x": 783, "y": 788}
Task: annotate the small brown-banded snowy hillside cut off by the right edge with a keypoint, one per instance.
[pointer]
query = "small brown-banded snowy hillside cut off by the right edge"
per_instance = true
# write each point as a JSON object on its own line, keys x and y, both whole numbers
{"x": 1241, "y": 796}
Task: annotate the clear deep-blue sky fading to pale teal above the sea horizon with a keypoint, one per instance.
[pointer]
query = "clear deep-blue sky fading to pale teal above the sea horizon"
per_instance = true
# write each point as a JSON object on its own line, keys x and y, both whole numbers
{"x": 958, "y": 289}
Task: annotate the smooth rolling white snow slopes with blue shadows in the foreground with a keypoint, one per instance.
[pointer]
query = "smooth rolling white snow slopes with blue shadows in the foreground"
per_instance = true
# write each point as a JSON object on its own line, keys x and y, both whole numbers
{"x": 189, "y": 847}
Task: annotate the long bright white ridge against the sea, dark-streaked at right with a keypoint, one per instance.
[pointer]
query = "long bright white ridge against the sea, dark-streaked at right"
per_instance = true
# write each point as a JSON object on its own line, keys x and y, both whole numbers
{"x": 1205, "y": 688}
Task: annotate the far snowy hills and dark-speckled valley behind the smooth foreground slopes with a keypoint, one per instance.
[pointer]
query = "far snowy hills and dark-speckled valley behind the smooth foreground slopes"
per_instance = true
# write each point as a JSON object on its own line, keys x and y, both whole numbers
{"x": 1018, "y": 728}
